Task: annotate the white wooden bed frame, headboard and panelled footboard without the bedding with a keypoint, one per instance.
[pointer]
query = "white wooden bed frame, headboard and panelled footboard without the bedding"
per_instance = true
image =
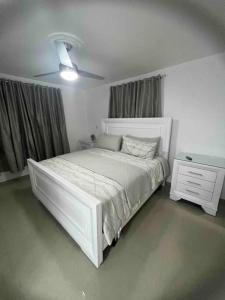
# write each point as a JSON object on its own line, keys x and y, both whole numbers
{"x": 79, "y": 212}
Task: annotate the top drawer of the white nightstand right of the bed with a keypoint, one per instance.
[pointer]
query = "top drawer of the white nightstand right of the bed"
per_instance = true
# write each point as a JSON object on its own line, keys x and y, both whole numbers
{"x": 197, "y": 173}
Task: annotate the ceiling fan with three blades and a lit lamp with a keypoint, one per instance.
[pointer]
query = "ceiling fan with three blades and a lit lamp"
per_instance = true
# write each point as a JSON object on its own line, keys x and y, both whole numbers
{"x": 67, "y": 69}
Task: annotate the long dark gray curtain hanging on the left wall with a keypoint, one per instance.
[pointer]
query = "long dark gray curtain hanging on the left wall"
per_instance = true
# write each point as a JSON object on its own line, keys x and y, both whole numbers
{"x": 32, "y": 123}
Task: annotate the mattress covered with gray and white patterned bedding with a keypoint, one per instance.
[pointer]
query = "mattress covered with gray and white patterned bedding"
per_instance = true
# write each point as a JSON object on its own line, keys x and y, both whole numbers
{"x": 120, "y": 181}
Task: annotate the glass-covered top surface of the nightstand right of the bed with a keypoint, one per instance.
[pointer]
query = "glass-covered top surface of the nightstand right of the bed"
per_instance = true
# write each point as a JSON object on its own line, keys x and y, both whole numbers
{"x": 202, "y": 159}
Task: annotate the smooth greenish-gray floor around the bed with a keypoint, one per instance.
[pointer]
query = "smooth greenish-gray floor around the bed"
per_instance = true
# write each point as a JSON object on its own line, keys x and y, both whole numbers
{"x": 168, "y": 251}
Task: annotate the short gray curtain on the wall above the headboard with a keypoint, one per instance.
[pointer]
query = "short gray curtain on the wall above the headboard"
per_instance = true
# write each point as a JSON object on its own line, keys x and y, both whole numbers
{"x": 138, "y": 99}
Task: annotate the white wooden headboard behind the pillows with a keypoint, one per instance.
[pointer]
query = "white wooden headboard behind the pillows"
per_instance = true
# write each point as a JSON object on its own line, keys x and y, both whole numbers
{"x": 141, "y": 127}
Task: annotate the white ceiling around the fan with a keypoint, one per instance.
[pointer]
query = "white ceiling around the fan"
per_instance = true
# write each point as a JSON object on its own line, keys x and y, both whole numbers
{"x": 122, "y": 38}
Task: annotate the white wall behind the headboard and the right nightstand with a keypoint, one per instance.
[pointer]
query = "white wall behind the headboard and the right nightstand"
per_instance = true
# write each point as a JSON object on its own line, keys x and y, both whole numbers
{"x": 193, "y": 95}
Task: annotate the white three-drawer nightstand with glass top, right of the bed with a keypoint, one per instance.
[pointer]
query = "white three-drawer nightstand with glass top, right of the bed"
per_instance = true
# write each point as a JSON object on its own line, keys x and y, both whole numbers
{"x": 199, "y": 180}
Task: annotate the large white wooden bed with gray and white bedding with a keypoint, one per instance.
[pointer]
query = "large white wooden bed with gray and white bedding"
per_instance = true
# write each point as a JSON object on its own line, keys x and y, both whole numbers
{"x": 94, "y": 193}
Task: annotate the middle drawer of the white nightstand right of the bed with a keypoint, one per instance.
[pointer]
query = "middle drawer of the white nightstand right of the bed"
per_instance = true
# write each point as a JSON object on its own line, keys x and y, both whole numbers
{"x": 196, "y": 182}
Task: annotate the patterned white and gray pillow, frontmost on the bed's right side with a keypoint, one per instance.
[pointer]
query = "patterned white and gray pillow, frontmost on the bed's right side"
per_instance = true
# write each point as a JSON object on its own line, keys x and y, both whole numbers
{"x": 139, "y": 148}
